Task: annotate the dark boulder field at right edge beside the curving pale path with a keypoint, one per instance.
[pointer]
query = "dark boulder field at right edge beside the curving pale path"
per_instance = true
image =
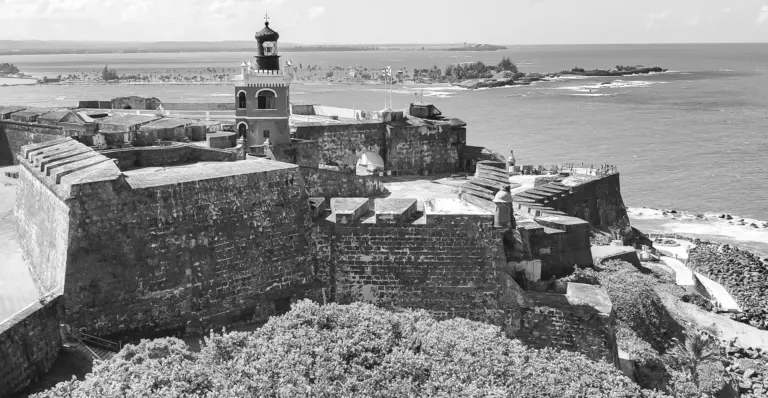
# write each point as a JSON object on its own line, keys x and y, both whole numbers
{"x": 743, "y": 273}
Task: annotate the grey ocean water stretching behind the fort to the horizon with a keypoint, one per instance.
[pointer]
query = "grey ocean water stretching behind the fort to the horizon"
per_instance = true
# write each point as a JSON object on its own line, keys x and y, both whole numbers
{"x": 694, "y": 139}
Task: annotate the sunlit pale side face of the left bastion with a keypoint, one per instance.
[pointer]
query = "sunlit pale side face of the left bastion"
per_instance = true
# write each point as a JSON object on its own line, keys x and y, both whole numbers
{"x": 43, "y": 231}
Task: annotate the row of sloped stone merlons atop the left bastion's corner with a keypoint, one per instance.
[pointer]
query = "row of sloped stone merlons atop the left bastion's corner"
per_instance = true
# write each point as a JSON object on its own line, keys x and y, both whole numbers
{"x": 63, "y": 163}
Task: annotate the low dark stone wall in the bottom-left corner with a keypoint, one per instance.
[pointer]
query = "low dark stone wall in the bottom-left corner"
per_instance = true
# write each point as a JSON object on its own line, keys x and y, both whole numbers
{"x": 29, "y": 345}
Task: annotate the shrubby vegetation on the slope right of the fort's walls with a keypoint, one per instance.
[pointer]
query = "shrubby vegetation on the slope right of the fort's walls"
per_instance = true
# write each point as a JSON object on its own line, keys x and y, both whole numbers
{"x": 673, "y": 358}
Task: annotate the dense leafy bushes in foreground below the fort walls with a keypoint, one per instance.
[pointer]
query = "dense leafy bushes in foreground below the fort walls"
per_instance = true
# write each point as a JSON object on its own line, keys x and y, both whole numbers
{"x": 355, "y": 350}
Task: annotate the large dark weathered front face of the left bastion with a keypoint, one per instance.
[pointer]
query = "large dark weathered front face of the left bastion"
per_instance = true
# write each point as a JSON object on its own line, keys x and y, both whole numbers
{"x": 186, "y": 257}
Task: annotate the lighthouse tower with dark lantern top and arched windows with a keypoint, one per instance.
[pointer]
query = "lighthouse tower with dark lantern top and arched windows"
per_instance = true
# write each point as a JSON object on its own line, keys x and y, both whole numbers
{"x": 262, "y": 94}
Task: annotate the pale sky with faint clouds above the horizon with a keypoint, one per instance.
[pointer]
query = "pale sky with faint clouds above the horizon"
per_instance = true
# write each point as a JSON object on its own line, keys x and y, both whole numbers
{"x": 391, "y": 21}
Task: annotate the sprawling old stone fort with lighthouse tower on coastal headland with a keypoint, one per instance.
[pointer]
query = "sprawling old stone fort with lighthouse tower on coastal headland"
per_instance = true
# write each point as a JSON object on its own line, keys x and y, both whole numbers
{"x": 138, "y": 219}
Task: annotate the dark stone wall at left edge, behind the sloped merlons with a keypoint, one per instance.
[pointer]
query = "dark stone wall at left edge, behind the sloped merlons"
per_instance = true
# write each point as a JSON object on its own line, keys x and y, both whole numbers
{"x": 14, "y": 135}
